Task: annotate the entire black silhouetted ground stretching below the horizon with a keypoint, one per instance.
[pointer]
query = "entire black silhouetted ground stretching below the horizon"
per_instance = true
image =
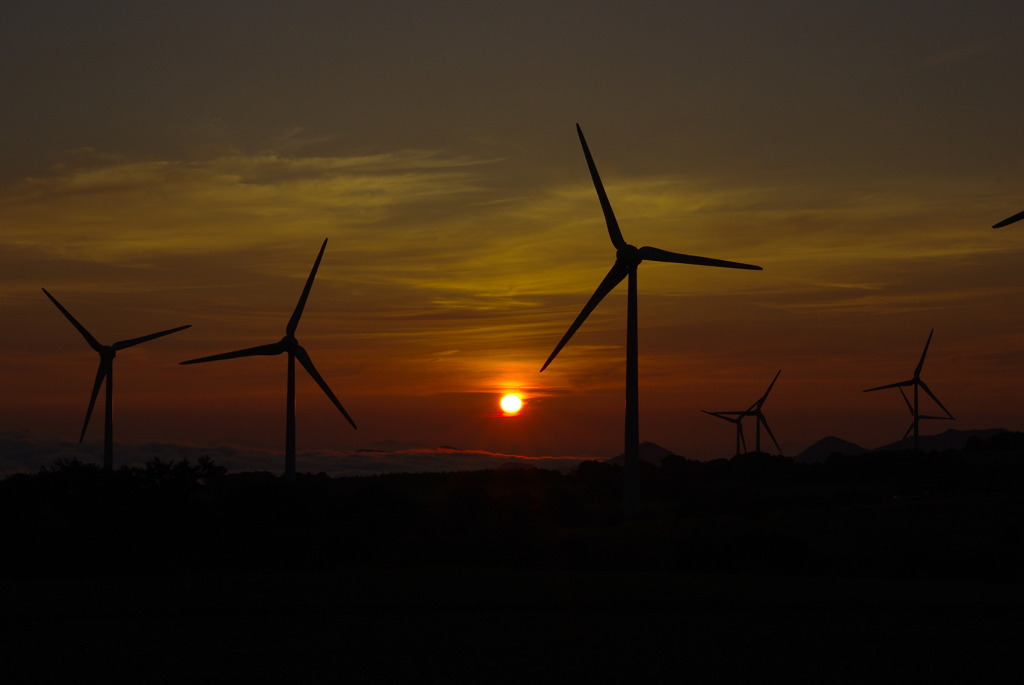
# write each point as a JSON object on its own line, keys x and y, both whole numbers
{"x": 881, "y": 569}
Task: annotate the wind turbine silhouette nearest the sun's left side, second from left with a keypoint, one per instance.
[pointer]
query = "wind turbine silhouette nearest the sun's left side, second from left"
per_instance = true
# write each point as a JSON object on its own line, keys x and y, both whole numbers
{"x": 290, "y": 346}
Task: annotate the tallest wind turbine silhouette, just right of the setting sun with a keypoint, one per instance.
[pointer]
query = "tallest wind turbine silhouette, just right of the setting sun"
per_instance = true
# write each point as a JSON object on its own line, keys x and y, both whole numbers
{"x": 628, "y": 259}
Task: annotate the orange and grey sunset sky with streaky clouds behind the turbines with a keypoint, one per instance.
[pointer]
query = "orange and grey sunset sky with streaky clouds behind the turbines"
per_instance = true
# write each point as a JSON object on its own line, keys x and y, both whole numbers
{"x": 165, "y": 164}
